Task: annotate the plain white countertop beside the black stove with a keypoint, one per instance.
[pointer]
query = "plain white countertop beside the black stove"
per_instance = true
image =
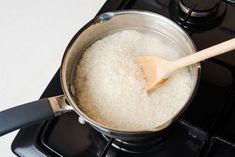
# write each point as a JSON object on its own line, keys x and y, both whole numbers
{"x": 33, "y": 37}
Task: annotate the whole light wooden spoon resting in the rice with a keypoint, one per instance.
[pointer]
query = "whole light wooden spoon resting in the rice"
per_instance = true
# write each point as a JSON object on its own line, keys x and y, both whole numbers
{"x": 156, "y": 70}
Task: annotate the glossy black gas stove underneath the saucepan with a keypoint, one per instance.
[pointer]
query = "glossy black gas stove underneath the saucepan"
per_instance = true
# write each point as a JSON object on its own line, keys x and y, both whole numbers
{"x": 205, "y": 129}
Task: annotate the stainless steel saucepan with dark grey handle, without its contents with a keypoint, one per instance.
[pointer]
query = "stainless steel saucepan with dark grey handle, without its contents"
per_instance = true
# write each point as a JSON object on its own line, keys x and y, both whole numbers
{"x": 97, "y": 28}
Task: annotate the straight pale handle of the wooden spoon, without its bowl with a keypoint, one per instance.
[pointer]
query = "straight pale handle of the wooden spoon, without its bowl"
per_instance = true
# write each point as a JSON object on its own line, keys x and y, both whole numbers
{"x": 204, "y": 54}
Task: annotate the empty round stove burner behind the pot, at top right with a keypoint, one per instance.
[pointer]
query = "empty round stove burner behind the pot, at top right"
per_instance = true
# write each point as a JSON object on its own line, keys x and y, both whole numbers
{"x": 197, "y": 15}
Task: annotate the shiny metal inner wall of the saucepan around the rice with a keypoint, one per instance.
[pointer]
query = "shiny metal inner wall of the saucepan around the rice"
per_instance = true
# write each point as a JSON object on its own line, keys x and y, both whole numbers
{"x": 109, "y": 23}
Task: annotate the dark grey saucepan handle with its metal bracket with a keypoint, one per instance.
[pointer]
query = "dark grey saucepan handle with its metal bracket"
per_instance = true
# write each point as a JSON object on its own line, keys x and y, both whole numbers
{"x": 31, "y": 113}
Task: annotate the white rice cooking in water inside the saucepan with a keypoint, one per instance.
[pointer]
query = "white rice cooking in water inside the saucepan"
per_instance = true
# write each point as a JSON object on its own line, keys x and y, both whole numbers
{"x": 110, "y": 89}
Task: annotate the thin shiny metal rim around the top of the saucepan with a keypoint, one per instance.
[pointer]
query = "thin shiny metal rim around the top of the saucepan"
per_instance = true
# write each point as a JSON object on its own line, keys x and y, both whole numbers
{"x": 98, "y": 125}
